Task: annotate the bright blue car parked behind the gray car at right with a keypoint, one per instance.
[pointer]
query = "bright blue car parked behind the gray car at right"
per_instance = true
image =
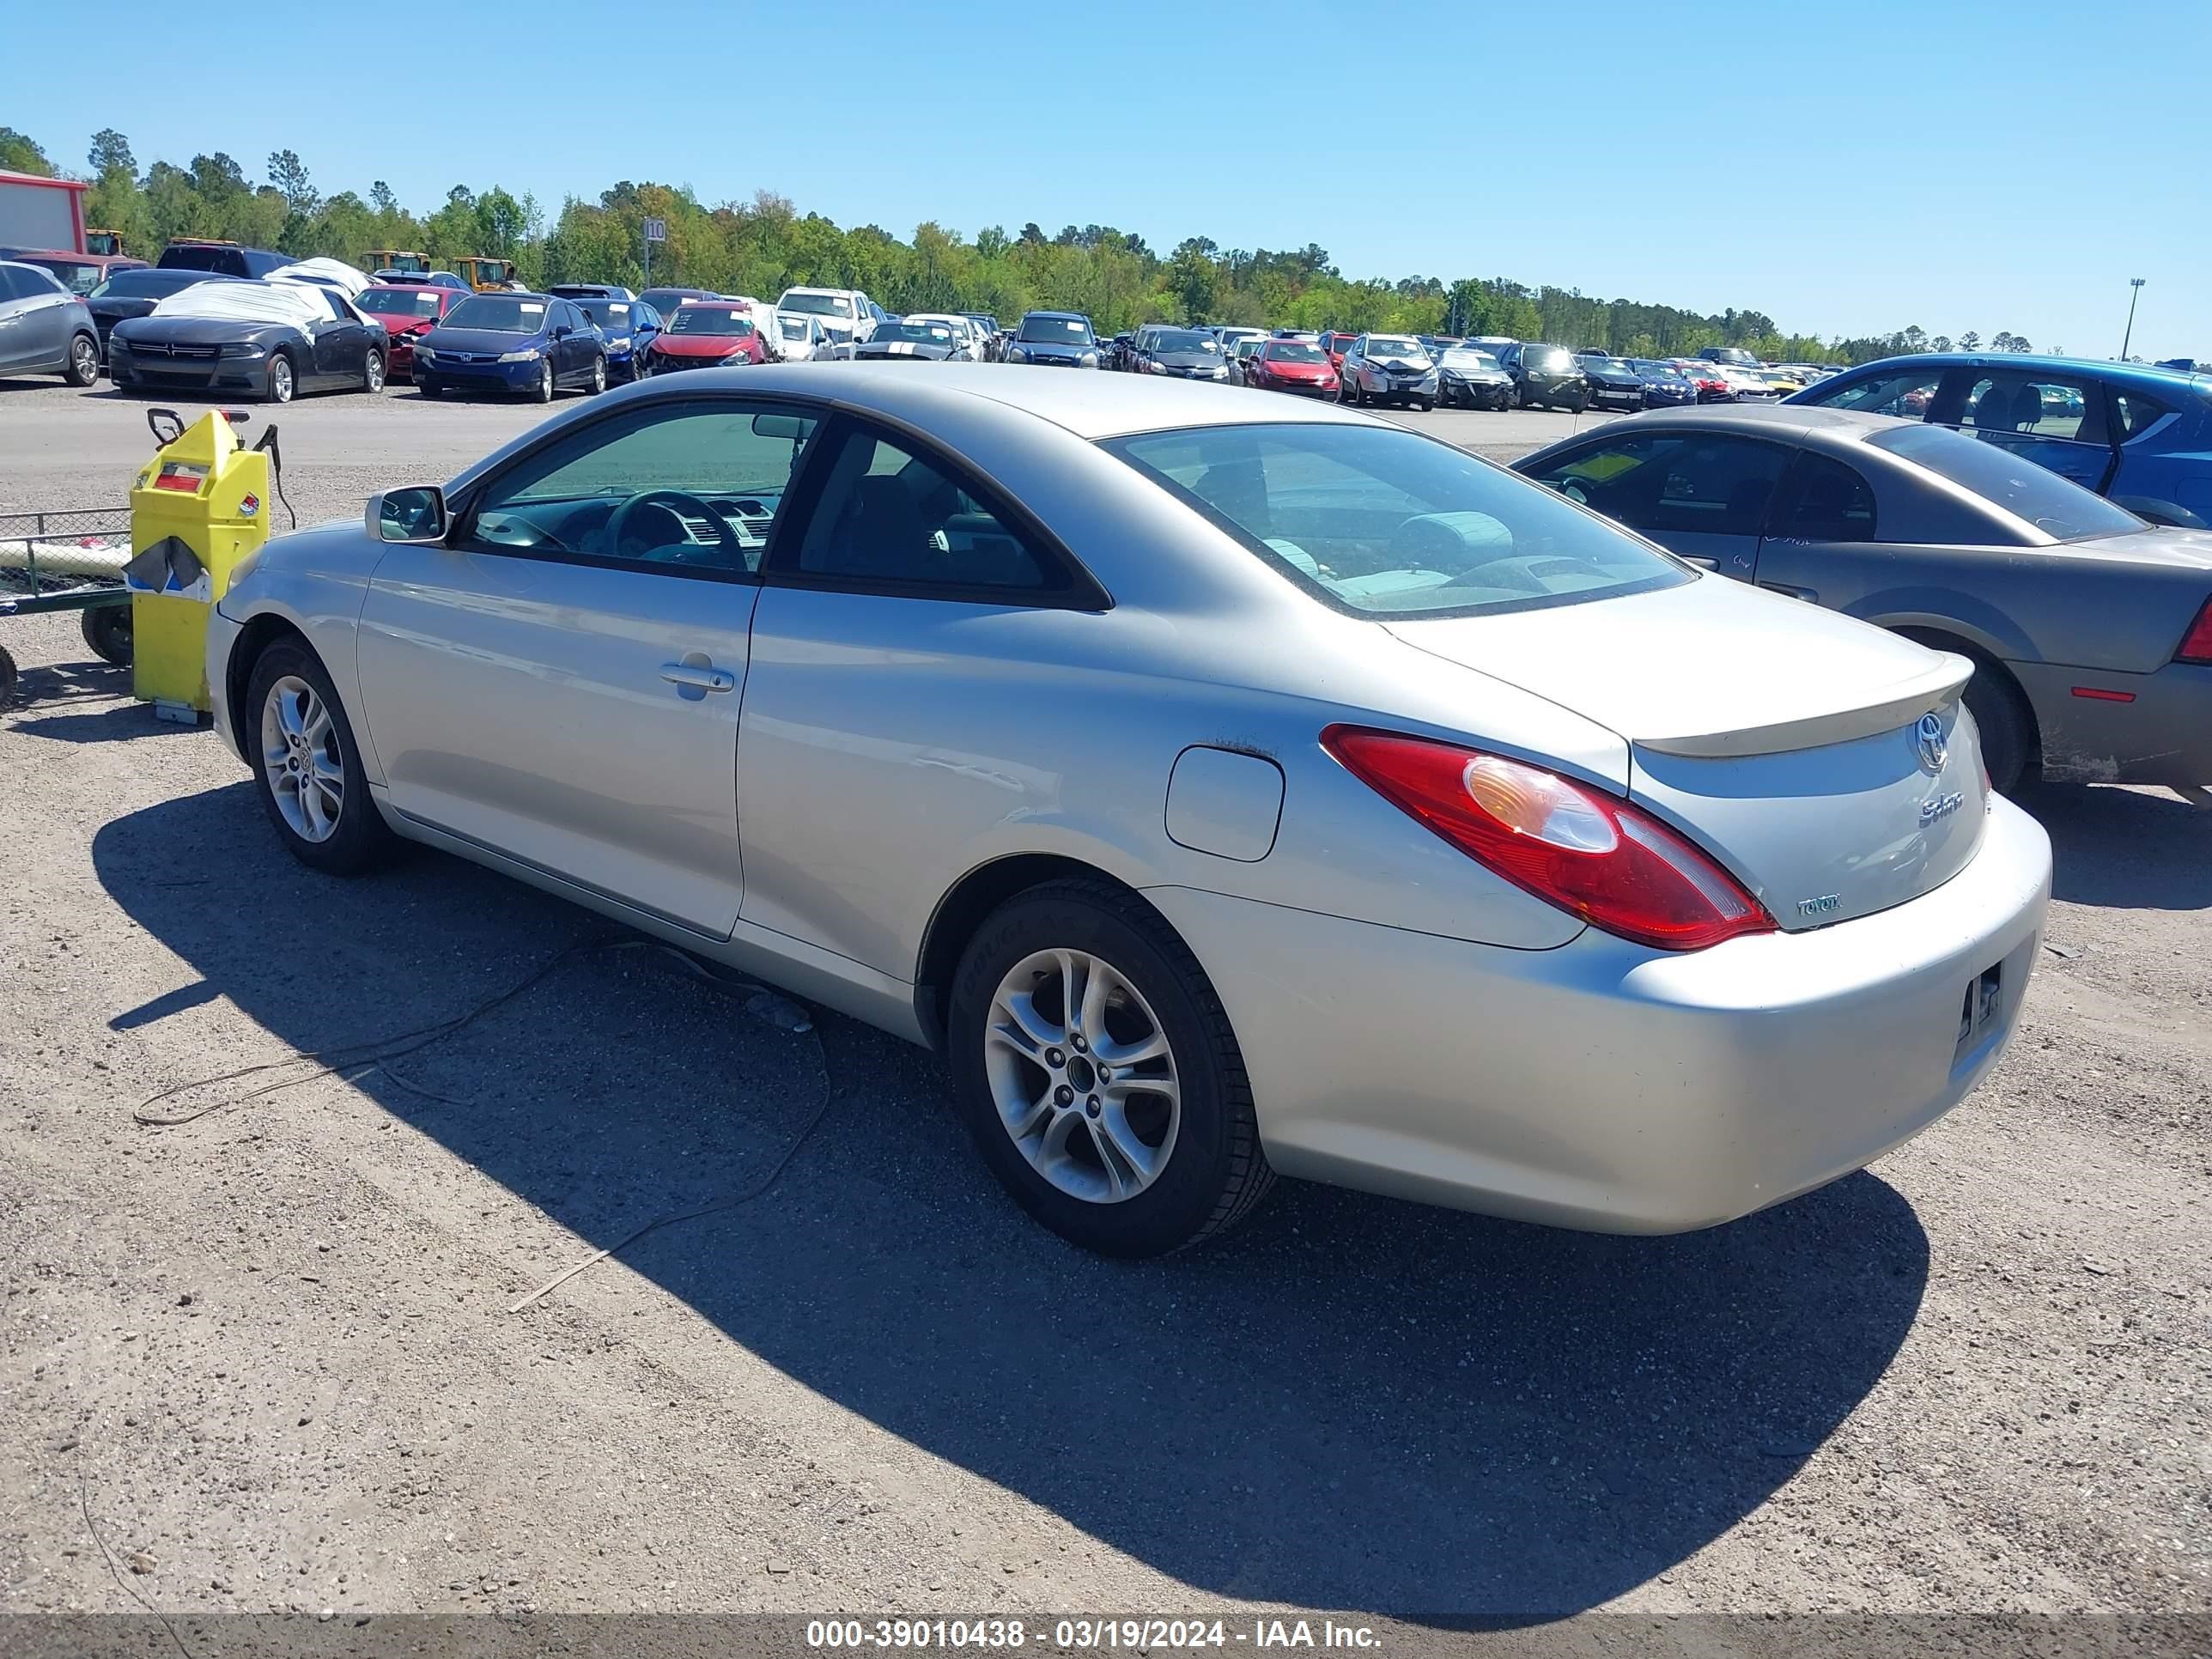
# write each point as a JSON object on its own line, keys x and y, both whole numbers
{"x": 2133, "y": 435}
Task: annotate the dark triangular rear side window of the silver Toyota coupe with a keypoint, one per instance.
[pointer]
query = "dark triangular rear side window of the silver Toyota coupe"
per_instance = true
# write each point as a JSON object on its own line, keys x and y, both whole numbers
{"x": 893, "y": 519}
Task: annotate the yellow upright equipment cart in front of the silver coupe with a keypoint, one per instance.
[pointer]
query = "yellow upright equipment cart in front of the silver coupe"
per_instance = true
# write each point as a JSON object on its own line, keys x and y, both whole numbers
{"x": 196, "y": 512}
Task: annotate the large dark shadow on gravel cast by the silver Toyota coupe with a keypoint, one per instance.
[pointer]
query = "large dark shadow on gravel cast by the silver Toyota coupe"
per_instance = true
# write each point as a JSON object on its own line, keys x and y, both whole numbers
{"x": 1350, "y": 1404}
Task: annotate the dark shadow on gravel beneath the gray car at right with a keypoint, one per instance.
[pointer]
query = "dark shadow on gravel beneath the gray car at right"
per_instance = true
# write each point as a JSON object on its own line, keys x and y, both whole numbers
{"x": 2127, "y": 848}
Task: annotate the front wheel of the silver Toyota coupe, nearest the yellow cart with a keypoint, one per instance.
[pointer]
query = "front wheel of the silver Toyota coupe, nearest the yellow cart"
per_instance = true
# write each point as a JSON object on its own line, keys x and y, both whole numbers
{"x": 309, "y": 766}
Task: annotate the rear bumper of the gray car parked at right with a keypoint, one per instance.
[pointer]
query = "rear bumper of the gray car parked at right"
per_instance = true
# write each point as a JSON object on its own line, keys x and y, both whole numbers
{"x": 2145, "y": 729}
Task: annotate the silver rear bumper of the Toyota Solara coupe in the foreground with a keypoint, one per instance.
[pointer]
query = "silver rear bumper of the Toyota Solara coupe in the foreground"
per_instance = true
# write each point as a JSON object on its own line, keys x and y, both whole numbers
{"x": 1609, "y": 1087}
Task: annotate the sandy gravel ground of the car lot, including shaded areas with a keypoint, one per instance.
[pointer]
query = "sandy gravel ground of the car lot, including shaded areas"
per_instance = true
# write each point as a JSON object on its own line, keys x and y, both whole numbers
{"x": 269, "y": 1353}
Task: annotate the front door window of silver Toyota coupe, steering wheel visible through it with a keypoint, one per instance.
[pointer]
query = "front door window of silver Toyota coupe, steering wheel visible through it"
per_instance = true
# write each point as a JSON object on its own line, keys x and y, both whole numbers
{"x": 682, "y": 488}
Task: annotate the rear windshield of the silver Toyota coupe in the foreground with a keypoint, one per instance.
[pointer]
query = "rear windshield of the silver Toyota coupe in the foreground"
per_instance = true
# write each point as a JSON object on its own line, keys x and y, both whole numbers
{"x": 1390, "y": 523}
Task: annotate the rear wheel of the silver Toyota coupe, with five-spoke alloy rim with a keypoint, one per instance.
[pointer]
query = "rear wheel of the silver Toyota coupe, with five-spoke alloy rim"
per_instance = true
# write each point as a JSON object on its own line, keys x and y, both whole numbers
{"x": 1129, "y": 1127}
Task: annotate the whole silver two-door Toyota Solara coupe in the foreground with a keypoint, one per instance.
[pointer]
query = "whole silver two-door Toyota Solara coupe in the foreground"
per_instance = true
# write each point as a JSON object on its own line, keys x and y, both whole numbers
{"x": 1229, "y": 786}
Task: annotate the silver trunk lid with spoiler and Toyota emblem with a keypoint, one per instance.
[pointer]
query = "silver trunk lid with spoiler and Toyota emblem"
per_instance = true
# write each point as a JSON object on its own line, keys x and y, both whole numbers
{"x": 1784, "y": 740}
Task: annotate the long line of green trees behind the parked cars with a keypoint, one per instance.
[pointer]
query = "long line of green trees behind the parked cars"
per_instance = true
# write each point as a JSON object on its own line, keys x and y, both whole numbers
{"x": 764, "y": 247}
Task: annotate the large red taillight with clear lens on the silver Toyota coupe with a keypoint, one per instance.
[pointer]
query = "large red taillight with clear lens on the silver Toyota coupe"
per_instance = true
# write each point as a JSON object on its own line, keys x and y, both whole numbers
{"x": 1576, "y": 848}
